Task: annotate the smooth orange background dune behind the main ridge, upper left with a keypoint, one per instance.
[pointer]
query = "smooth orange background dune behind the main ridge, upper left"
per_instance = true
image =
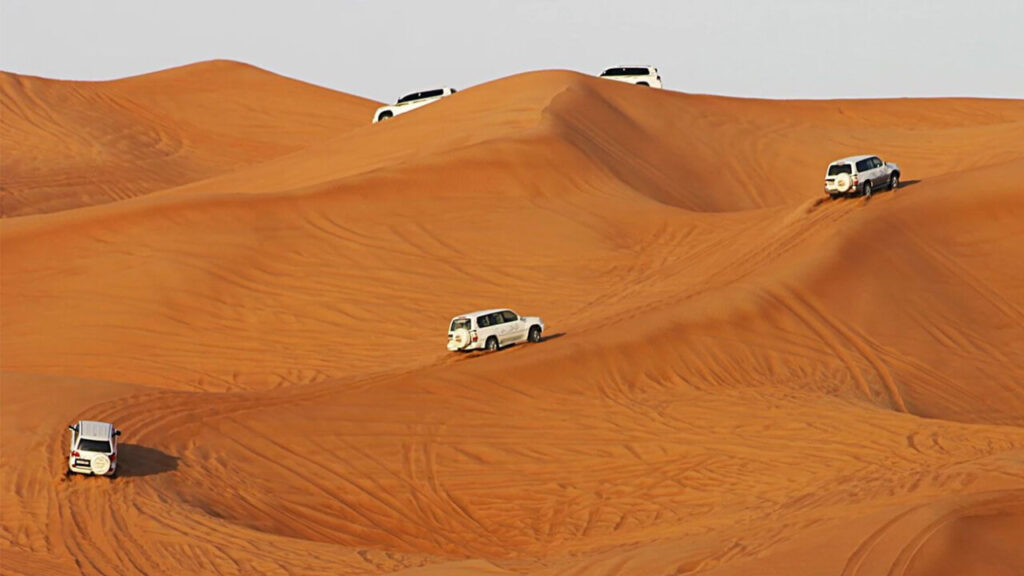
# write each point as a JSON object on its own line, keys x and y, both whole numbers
{"x": 65, "y": 145}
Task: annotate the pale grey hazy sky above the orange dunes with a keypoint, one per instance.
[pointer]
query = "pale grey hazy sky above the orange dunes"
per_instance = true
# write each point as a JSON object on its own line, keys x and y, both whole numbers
{"x": 382, "y": 50}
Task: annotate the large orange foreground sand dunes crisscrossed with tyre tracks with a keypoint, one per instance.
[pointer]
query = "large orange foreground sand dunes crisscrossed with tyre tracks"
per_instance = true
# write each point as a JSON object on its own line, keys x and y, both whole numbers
{"x": 740, "y": 377}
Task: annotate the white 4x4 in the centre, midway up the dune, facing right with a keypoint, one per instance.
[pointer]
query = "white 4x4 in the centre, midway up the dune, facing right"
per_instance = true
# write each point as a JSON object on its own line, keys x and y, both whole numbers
{"x": 493, "y": 330}
